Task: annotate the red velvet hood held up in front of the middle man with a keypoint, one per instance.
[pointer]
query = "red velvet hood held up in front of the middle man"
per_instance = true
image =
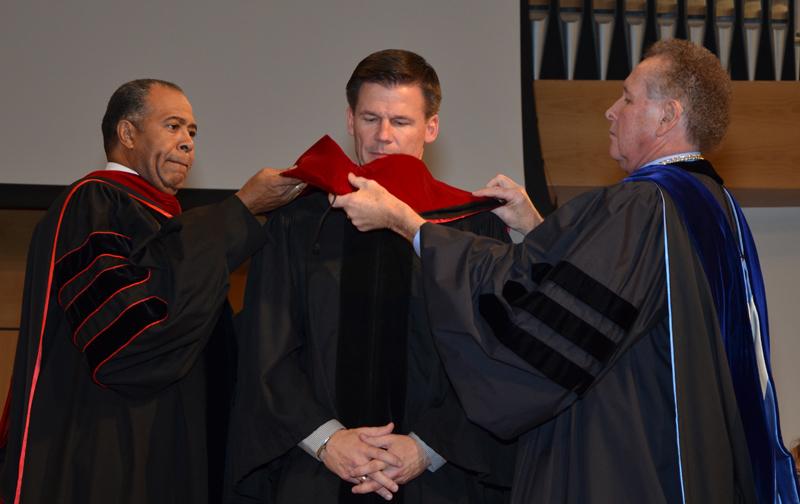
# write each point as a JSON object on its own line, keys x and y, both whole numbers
{"x": 325, "y": 166}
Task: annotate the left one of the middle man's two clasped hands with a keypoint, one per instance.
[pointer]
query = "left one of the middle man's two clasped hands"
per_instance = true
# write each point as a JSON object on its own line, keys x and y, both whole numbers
{"x": 345, "y": 451}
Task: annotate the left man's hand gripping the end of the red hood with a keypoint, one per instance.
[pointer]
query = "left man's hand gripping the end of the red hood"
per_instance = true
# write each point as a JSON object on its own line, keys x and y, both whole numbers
{"x": 268, "y": 190}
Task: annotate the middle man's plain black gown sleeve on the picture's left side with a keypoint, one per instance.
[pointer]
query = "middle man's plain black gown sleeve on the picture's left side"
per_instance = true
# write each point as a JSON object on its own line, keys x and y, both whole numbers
{"x": 275, "y": 405}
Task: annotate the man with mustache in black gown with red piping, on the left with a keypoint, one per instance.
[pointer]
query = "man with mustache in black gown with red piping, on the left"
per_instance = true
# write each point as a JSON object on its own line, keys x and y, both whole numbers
{"x": 115, "y": 394}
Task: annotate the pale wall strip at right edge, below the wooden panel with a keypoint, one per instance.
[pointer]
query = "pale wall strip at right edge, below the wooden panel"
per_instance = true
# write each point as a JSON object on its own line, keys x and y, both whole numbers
{"x": 777, "y": 235}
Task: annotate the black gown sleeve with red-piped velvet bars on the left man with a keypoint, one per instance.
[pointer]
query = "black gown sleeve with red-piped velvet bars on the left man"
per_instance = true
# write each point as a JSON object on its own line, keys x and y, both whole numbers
{"x": 141, "y": 295}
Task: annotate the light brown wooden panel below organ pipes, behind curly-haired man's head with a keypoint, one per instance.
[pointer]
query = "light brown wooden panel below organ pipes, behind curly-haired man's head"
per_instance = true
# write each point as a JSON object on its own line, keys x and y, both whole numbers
{"x": 759, "y": 158}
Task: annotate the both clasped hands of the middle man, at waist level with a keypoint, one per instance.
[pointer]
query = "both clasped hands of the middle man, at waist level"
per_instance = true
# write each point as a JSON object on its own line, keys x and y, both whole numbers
{"x": 374, "y": 459}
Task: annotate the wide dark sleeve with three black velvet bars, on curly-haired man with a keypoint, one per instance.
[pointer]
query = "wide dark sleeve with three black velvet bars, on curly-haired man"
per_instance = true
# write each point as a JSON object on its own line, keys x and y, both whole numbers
{"x": 524, "y": 330}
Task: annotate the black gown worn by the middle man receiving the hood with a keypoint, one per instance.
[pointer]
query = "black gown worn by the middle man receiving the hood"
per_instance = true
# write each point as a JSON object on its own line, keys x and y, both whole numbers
{"x": 292, "y": 364}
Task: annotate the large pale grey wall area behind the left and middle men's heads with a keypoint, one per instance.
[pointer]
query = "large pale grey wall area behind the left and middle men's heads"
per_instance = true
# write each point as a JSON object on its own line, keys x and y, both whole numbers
{"x": 266, "y": 79}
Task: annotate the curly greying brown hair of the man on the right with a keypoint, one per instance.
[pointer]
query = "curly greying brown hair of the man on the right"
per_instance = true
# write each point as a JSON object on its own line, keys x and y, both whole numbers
{"x": 694, "y": 76}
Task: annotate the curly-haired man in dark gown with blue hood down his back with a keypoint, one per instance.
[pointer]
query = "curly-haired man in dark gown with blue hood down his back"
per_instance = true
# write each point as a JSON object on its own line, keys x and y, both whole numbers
{"x": 625, "y": 340}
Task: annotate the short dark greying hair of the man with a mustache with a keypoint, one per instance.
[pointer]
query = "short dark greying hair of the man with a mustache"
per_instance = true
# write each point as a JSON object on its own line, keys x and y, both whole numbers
{"x": 127, "y": 102}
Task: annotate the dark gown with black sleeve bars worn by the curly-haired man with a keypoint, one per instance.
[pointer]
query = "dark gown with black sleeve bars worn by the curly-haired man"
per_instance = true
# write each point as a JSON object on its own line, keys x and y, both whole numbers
{"x": 565, "y": 341}
